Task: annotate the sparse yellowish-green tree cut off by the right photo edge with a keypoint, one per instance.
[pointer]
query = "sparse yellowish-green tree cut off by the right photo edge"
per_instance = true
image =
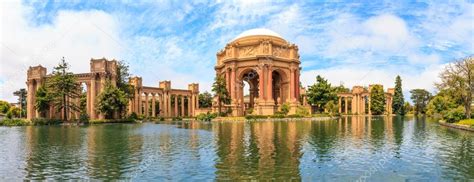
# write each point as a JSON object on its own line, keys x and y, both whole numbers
{"x": 458, "y": 77}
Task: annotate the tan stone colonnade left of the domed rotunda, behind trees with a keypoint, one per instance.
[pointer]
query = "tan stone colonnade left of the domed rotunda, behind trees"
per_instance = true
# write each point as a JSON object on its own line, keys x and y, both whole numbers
{"x": 143, "y": 103}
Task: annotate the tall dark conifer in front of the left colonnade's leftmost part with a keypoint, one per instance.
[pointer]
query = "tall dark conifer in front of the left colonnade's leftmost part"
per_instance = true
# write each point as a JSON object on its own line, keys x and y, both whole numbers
{"x": 63, "y": 88}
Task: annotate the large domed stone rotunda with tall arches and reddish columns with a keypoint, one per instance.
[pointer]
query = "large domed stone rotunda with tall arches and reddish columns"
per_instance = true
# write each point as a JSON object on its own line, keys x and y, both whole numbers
{"x": 270, "y": 66}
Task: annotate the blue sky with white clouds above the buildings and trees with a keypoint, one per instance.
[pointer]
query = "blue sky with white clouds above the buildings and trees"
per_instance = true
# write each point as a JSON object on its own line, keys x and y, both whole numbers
{"x": 350, "y": 43}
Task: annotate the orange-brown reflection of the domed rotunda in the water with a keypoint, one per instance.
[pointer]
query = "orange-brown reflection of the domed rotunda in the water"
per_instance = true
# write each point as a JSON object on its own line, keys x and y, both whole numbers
{"x": 263, "y": 150}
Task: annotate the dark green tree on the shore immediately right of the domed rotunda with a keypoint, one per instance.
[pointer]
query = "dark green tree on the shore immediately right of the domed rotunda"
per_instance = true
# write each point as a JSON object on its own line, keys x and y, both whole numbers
{"x": 320, "y": 93}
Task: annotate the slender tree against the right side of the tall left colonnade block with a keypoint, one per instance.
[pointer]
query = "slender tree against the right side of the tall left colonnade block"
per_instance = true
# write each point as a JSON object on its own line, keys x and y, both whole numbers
{"x": 123, "y": 84}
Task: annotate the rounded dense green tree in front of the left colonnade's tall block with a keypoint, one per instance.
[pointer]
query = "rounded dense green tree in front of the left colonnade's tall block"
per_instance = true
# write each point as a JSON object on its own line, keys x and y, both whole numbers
{"x": 111, "y": 100}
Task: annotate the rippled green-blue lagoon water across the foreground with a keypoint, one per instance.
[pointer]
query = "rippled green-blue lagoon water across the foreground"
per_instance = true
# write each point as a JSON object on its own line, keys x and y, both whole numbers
{"x": 346, "y": 149}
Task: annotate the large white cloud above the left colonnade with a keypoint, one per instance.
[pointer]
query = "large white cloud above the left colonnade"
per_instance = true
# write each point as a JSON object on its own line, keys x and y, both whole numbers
{"x": 78, "y": 36}
